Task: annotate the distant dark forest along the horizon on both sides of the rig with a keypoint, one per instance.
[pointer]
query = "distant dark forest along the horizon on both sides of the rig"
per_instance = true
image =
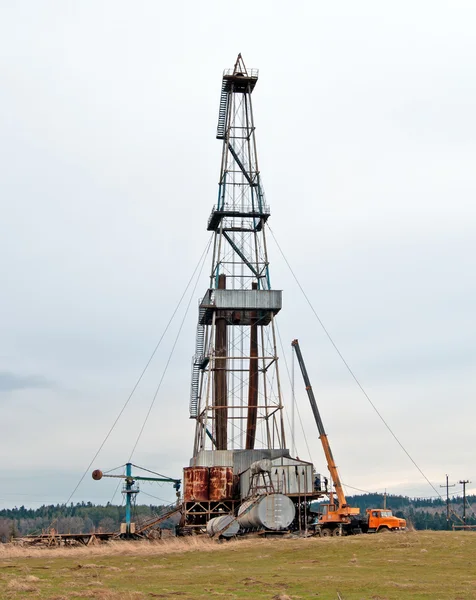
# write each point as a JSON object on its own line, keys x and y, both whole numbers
{"x": 85, "y": 517}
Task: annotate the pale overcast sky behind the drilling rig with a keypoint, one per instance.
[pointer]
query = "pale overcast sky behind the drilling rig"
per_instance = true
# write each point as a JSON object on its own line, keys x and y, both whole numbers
{"x": 366, "y": 134}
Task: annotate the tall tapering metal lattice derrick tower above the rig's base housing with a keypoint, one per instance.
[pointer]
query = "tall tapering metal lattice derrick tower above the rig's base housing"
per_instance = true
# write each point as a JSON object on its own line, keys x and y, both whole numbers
{"x": 235, "y": 391}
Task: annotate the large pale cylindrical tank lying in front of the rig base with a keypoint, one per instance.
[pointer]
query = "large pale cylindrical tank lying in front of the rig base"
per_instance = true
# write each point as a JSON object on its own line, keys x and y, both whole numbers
{"x": 273, "y": 511}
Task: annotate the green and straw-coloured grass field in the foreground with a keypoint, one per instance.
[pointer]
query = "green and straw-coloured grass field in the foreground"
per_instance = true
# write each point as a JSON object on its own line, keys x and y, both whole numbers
{"x": 419, "y": 565}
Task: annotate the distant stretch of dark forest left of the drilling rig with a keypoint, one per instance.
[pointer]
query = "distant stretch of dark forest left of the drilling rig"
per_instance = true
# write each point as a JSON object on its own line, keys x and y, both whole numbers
{"x": 83, "y": 517}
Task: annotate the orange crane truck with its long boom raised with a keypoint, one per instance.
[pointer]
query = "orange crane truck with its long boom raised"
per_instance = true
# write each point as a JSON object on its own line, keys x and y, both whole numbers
{"x": 340, "y": 518}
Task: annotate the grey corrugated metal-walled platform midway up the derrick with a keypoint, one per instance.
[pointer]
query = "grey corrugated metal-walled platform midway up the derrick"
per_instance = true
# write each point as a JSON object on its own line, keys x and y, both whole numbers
{"x": 241, "y": 307}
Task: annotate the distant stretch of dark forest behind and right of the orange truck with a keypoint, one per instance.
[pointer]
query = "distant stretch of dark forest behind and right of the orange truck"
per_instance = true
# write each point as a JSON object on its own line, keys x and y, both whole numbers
{"x": 420, "y": 513}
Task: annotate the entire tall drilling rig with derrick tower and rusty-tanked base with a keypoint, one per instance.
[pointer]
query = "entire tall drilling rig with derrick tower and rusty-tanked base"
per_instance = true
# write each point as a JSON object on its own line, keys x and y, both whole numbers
{"x": 239, "y": 448}
